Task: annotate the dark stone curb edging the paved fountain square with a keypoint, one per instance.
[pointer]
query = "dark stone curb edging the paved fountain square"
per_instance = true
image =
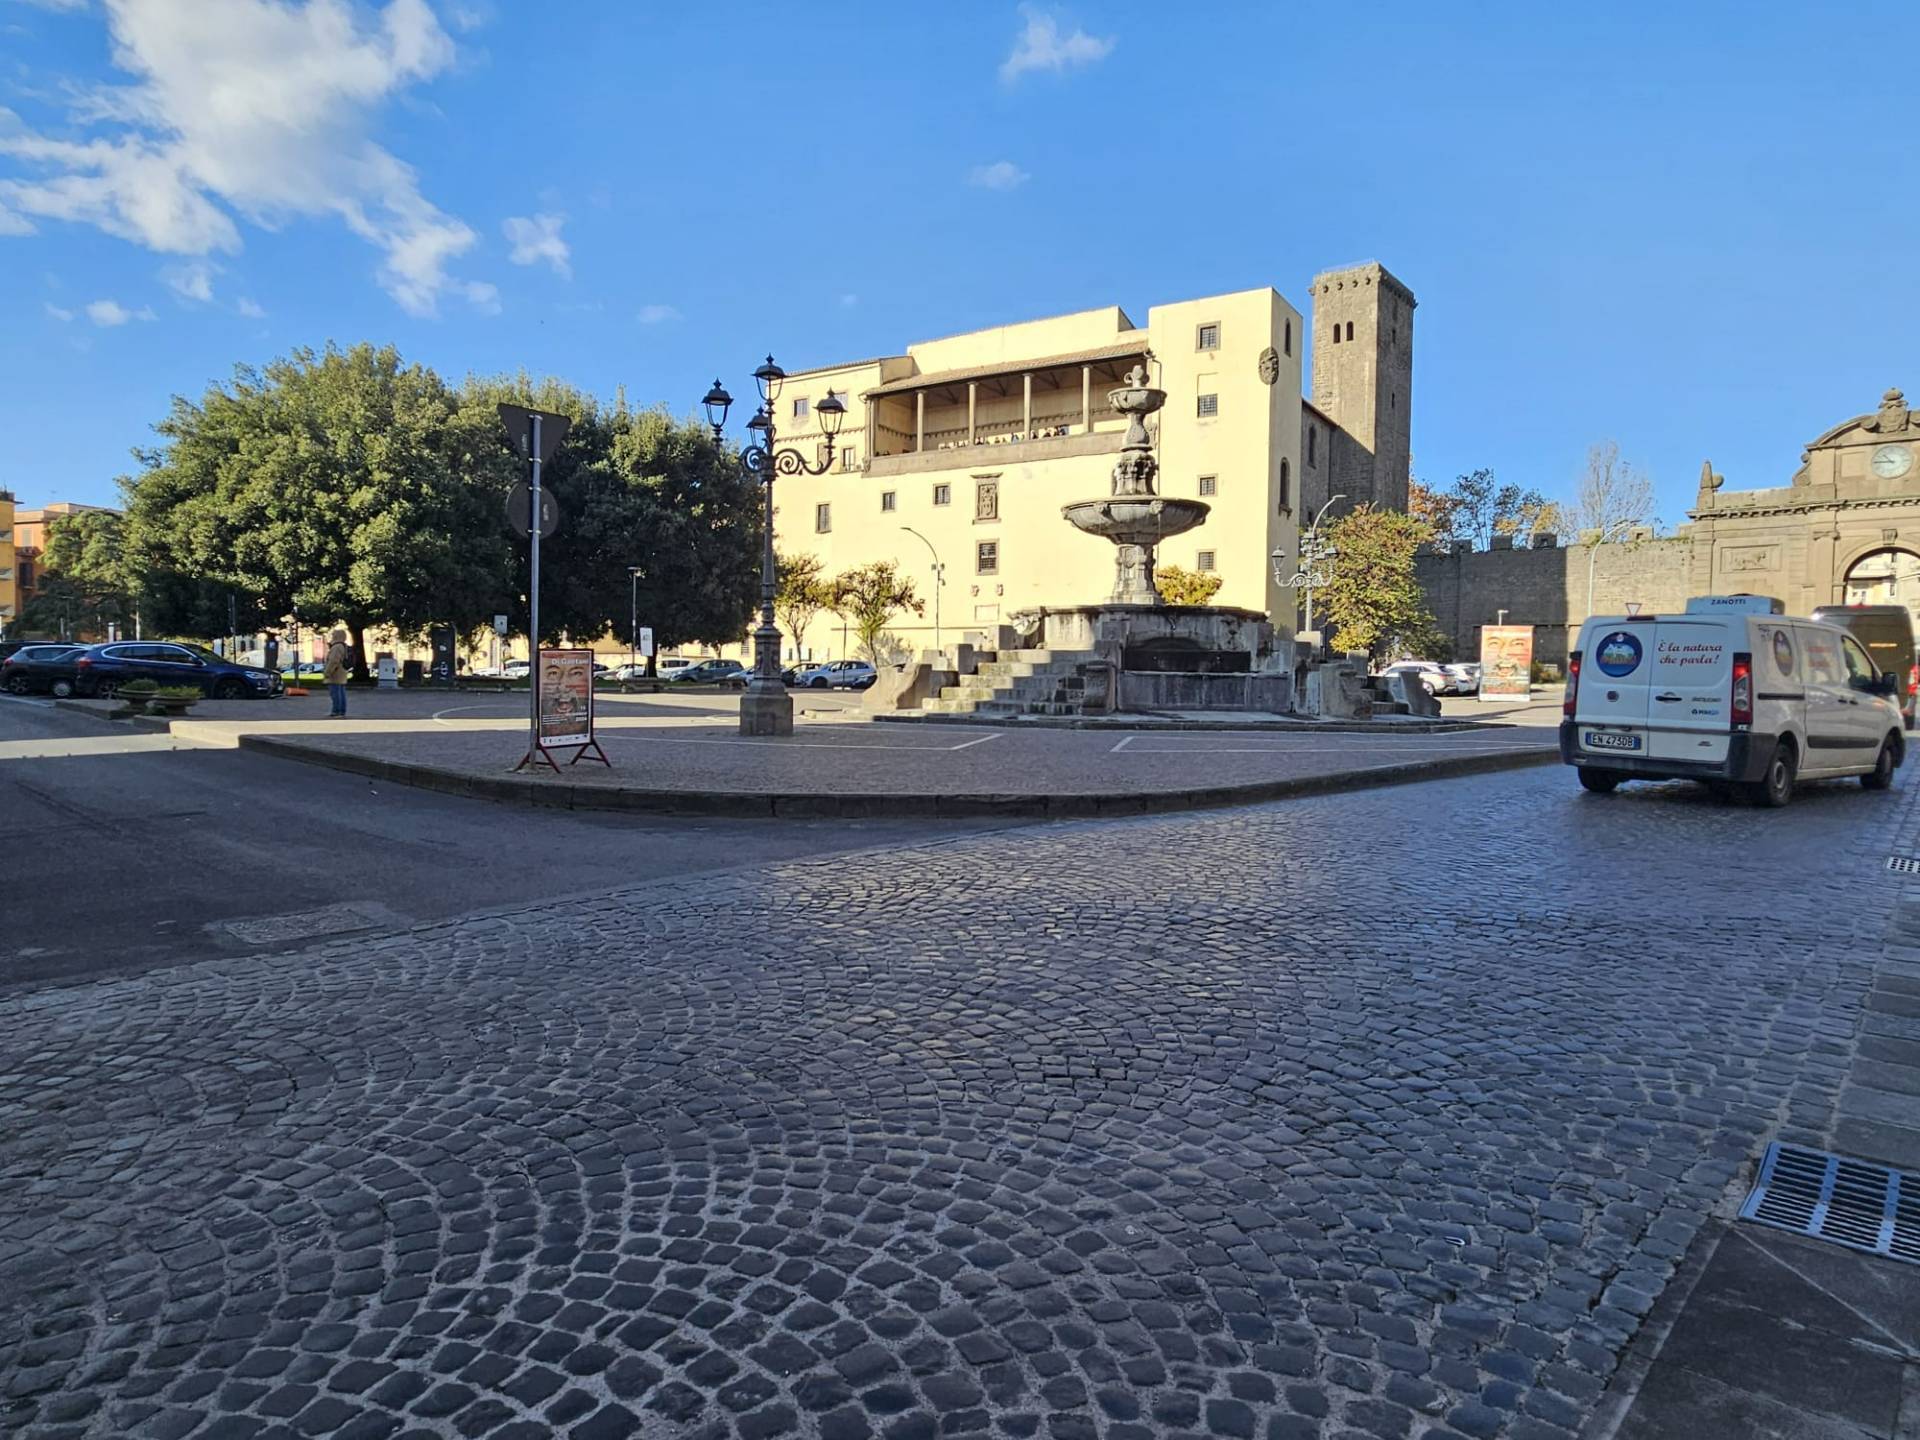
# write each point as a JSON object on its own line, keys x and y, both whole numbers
{"x": 516, "y": 790}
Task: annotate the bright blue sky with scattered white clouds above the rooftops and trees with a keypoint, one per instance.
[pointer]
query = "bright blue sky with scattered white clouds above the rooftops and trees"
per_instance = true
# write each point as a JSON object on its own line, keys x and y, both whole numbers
{"x": 1691, "y": 229}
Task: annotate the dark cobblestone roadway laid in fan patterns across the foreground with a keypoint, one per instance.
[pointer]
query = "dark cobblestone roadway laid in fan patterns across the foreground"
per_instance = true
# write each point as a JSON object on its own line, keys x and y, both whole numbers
{"x": 1383, "y": 1115}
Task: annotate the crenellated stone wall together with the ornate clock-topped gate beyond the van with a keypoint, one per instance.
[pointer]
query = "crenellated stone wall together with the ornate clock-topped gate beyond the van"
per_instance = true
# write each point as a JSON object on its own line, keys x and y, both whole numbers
{"x": 1844, "y": 531}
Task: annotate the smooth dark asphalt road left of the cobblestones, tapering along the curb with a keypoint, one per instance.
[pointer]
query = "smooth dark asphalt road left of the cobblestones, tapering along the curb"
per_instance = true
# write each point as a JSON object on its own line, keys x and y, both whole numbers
{"x": 139, "y": 855}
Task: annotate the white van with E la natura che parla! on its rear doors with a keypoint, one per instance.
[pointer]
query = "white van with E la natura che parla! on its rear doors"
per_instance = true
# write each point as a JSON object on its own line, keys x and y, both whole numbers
{"x": 1733, "y": 694}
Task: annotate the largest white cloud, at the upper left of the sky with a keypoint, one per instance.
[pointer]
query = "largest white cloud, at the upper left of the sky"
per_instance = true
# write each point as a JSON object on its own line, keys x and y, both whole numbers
{"x": 256, "y": 110}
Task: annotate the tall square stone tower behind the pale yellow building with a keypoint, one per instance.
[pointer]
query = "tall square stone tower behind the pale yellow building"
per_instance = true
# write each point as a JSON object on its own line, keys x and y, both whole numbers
{"x": 1364, "y": 381}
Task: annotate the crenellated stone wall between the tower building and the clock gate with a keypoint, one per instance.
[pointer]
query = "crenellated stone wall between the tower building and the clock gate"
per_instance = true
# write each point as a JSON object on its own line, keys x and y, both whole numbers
{"x": 1548, "y": 588}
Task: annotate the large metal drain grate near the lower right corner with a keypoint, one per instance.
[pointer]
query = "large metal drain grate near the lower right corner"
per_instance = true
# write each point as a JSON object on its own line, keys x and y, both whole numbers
{"x": 1844, "y": 1201}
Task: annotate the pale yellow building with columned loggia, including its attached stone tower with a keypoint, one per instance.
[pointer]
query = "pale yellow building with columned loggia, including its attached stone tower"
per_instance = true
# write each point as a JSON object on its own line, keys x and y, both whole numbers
{"x": 959, "y": 454}
